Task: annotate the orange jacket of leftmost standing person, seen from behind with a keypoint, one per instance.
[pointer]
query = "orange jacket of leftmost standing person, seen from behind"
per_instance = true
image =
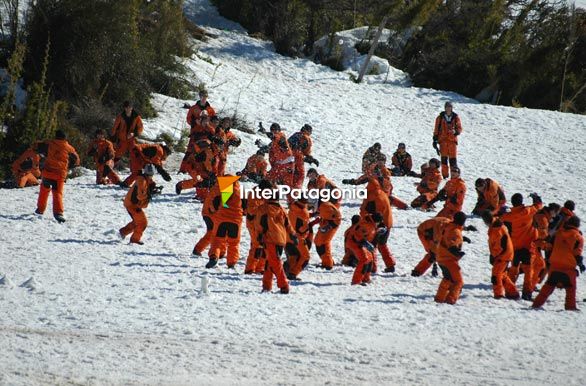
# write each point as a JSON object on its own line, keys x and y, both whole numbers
{"x": 60, "y": 156}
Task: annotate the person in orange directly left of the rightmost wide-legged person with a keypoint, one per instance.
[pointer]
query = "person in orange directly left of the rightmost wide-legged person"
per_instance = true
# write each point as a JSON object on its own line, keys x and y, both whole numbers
{"x": 541, "y": 221}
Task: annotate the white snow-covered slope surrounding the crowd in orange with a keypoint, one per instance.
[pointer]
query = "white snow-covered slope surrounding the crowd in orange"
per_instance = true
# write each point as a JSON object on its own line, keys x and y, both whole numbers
{"x": 105, "y": 312}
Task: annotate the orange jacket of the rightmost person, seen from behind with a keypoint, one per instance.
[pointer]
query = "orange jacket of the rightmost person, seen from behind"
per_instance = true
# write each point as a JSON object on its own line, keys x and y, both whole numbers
{"x": 567, "y": 246}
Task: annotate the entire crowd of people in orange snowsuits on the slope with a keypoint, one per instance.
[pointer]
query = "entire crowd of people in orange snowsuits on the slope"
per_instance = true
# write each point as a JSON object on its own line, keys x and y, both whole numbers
{"x": 543, "y": 243}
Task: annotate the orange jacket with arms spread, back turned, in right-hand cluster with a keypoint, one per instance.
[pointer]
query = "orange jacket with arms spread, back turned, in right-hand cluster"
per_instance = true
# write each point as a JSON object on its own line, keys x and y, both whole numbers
{"x": 519, "y": 221}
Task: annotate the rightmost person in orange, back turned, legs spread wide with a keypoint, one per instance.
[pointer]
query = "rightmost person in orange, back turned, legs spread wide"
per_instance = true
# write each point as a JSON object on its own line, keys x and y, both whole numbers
{"x": 566, "y": 254}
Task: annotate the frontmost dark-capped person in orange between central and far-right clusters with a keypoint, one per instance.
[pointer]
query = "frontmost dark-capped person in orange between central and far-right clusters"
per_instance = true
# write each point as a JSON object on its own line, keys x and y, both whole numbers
{"x": 448, "y": 242}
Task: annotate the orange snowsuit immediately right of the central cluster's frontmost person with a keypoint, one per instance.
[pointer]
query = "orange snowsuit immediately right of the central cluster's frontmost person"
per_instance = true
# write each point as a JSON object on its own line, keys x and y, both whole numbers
{"x": 298, "y": 254}
